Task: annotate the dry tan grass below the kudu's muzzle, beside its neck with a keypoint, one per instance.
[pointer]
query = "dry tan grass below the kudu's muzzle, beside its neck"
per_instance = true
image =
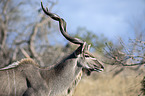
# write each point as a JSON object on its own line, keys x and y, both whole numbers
{"x": 103, "y": 84}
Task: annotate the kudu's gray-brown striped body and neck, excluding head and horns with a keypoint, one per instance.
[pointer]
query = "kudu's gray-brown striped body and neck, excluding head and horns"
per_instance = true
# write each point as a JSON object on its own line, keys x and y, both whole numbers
{"x": 27, "y": 79}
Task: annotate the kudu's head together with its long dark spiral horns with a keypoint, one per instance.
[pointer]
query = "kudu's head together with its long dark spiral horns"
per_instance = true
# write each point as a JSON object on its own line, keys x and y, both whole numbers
{"x": 85, "y": 59}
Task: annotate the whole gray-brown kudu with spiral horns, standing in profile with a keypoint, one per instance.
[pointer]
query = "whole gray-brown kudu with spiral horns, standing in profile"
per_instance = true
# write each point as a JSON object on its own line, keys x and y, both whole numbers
{"x": 27, "y": 78}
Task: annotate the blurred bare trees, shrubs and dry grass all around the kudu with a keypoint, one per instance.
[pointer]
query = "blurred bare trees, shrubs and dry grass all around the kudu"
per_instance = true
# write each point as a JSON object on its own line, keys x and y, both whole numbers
{"x": 25, "y": 31}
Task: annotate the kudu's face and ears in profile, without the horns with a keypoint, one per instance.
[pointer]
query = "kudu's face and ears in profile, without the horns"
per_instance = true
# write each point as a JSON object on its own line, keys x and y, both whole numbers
{"x": 86, "y": 60}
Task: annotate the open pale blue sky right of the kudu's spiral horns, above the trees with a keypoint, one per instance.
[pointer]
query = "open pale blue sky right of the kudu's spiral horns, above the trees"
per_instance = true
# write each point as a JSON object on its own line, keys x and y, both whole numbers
{"x": 108, "y": 17}
